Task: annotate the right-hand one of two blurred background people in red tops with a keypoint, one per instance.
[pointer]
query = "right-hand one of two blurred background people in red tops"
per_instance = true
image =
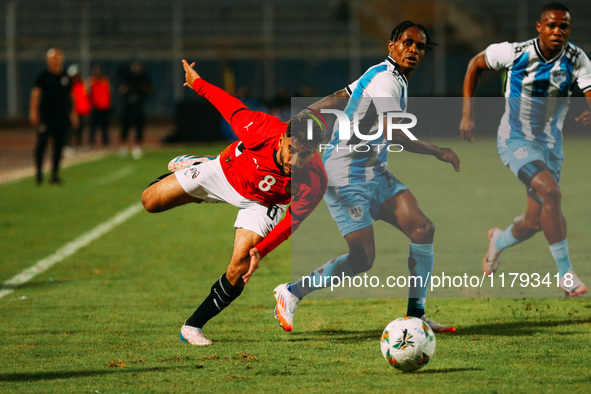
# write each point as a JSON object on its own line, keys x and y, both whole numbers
{"x": 100, "y": 98}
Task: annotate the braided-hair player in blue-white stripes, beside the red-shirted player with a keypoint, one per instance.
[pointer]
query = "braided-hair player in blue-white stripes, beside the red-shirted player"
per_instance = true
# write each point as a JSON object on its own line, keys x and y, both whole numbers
{"x": 361, "y": 189}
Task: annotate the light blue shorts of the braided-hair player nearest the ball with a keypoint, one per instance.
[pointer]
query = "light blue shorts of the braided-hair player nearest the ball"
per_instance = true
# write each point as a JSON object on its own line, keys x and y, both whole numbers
{"x": 354, "y": 206}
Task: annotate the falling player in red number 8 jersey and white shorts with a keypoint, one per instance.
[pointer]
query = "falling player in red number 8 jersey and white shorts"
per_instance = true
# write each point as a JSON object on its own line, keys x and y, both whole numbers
{"x": 253, "y": 174}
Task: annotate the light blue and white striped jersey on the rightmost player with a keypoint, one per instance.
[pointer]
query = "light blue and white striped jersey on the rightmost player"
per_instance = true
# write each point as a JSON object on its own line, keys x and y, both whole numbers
{"x": 538, "y": 89}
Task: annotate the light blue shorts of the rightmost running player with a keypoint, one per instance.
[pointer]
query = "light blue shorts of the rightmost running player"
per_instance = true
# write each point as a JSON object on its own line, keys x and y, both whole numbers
{"x": 517, "y": 153}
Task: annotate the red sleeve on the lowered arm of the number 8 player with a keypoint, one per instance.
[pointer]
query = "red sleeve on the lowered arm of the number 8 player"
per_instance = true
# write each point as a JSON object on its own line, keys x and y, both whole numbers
{"x": 310, "y": 190}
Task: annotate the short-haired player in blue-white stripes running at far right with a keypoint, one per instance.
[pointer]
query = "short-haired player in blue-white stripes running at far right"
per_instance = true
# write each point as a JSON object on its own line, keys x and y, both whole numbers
{"x": 541, "y": 74}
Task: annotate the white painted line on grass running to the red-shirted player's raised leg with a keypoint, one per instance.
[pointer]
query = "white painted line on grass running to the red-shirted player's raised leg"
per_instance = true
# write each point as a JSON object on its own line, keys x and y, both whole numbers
{"x": 68, "y": 250}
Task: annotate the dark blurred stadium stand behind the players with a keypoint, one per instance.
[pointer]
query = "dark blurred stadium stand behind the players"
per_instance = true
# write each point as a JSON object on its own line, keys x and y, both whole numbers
{"x": 264, "y": 51}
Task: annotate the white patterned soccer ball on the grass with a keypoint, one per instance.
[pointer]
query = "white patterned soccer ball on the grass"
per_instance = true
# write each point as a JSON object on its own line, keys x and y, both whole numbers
{"x": 408, "y": 343}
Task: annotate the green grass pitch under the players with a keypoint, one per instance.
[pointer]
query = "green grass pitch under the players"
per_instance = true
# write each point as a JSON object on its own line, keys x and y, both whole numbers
{"x": 107, "y": 318}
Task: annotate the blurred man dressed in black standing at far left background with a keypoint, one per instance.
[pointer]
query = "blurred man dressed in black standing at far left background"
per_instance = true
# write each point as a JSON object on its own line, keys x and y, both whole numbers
{"x": 51, "y": 112}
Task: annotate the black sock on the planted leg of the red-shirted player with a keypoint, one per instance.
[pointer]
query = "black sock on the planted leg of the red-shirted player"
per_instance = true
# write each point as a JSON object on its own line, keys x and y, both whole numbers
{"x": 221, "y": 295}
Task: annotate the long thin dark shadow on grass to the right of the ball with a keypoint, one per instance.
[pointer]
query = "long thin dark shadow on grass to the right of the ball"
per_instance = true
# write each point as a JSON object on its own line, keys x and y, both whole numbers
{"x": 525, "y": 327}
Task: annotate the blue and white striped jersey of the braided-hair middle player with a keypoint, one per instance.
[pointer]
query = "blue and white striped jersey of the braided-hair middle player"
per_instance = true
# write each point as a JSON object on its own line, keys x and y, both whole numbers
{"x": 381, "y": 89}
